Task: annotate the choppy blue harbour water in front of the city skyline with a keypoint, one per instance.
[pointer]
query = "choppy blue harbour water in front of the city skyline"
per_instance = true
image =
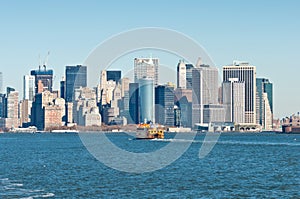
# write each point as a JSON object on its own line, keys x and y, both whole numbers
{"x": 239, "y": 166}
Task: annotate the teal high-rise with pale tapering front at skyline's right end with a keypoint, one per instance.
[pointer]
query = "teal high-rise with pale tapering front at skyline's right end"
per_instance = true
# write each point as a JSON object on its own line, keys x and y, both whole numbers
{"x": 264, "y": 105}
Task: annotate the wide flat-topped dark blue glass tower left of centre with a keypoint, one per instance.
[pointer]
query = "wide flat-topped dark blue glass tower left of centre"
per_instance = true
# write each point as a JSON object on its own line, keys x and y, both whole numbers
{"x": 76, "y": 77}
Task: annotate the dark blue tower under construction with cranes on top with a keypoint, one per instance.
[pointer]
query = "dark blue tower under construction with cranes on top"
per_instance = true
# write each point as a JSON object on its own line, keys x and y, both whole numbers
{"x": 43, "y": 79}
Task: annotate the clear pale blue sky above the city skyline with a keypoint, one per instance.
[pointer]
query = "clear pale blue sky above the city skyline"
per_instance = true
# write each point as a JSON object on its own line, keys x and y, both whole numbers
{"x": 265, "y": 33}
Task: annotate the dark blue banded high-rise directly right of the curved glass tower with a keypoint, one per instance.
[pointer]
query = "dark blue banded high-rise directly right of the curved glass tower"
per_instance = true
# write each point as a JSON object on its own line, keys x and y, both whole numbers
{"x": 164, "y": 105}
